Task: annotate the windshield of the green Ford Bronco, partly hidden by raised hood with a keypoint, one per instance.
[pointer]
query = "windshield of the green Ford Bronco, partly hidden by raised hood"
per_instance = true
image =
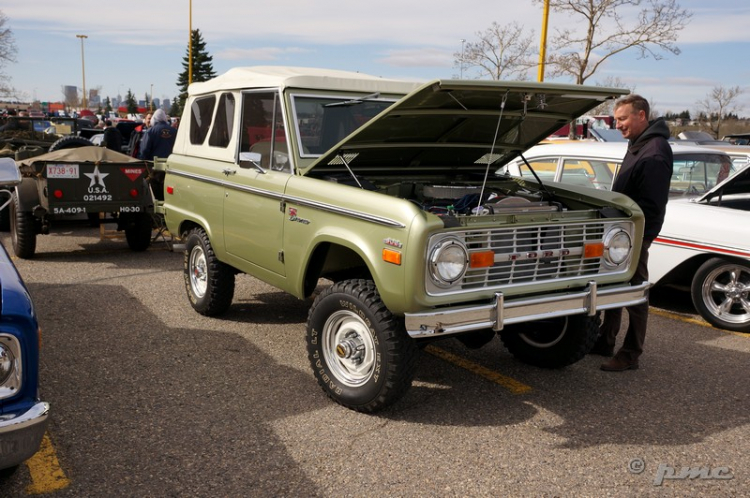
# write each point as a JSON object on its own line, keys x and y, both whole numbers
{"x": 323, "y": 121}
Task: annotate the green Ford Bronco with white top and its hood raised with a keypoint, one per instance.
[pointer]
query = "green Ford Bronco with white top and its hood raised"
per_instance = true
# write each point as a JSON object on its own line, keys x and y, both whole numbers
{"x": 387, "y": 190}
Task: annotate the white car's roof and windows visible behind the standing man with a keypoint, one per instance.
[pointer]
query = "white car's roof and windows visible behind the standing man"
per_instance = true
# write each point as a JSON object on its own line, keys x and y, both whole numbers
{"x": 595, "y": 164}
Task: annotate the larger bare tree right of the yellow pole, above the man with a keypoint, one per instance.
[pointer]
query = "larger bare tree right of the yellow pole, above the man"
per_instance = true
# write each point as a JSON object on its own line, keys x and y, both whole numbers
{"x": 606, "y": 32}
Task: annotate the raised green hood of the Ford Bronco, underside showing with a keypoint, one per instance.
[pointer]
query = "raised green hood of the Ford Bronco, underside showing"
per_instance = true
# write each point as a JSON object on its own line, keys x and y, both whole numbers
{"x": 462, "y": 124}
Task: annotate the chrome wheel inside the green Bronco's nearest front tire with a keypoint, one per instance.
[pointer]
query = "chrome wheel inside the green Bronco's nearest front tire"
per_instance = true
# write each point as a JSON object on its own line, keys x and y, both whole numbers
{"x": 348, "y": 348}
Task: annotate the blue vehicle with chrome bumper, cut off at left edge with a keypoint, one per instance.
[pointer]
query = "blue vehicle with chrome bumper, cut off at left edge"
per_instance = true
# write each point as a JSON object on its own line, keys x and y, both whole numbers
{"x": 23, "y": 418}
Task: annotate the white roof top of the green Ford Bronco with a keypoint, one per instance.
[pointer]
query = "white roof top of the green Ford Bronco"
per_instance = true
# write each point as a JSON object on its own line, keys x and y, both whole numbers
{"x": 301, "y": 77}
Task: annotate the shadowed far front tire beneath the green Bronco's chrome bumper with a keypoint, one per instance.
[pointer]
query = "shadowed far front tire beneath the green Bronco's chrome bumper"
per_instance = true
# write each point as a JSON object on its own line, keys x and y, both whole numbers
{"x": 552, "y": 343}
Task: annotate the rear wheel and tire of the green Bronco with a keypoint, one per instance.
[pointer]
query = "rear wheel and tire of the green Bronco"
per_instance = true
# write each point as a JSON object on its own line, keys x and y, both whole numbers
{"x": 208, "y": 281}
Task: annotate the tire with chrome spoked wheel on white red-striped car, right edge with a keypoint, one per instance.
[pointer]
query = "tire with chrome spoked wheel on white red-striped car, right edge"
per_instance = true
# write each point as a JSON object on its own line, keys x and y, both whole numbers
{"x": 720, "y": 292}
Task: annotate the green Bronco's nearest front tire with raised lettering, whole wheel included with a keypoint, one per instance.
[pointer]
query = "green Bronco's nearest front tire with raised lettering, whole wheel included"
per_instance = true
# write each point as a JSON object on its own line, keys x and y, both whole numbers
{"x": 360, "y": 353}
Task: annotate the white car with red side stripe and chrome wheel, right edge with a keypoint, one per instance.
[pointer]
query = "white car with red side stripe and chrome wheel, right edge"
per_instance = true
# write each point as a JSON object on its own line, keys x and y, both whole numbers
{"x": 705, "y": 245}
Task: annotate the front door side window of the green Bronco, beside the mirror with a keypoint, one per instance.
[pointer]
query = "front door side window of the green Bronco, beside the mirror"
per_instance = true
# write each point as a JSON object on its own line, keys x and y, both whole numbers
{"x": 263, "y": 130}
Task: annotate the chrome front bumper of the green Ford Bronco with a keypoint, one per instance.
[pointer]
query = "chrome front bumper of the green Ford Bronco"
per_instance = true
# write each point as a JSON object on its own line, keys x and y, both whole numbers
{"x": 501, "y": 312}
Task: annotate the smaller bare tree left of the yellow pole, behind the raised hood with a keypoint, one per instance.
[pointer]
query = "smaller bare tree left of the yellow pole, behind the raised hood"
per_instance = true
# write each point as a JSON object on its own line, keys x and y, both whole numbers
{"x": 500, "y": 52}
